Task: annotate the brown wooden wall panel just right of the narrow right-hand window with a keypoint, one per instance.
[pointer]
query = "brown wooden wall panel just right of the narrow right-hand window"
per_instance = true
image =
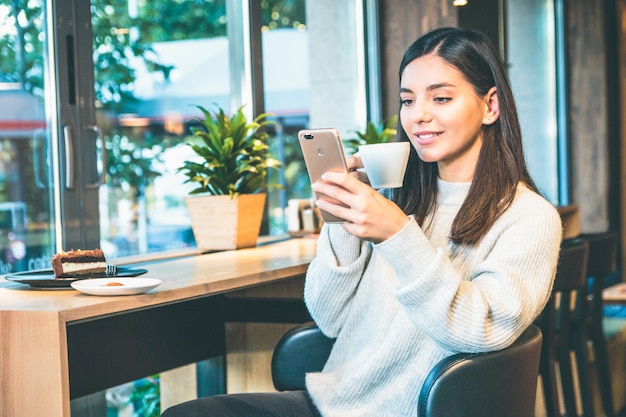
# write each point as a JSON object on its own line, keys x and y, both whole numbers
{"x": 588, "y": 117}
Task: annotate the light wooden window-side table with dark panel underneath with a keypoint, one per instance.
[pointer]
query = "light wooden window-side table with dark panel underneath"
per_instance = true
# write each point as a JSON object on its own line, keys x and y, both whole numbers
{"x": 57, "y": 345}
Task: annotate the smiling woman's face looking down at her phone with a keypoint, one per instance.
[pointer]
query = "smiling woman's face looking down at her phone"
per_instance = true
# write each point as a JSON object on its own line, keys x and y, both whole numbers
{"x": 442, "y": 115}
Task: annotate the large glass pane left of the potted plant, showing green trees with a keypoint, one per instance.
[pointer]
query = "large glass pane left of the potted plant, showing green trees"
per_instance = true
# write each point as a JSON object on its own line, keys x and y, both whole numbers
{"x": 154, "y": 63}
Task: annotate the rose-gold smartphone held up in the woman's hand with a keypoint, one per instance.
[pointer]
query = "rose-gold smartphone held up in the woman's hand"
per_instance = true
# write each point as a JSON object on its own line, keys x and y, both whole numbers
{"x": 323, "y": 152}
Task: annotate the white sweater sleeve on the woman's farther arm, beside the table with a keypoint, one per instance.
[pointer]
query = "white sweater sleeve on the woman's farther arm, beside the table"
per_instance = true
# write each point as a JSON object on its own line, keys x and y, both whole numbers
{"x": 333, "y": 276}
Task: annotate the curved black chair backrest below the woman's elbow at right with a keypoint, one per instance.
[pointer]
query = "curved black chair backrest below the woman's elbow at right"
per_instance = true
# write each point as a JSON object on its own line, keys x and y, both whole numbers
{"x": 493, "y": 384}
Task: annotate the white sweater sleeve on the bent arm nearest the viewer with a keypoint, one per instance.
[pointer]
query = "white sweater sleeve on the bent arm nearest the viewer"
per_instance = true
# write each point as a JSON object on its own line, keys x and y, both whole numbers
{"x": 487, "y": 306}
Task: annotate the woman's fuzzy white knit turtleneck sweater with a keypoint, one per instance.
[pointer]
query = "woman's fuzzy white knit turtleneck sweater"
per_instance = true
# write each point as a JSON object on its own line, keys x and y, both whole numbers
{"x": 398, "y": 307}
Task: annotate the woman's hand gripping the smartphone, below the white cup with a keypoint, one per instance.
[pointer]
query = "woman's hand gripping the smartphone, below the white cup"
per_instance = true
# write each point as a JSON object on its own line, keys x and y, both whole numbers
{"x": 368, "y": 214}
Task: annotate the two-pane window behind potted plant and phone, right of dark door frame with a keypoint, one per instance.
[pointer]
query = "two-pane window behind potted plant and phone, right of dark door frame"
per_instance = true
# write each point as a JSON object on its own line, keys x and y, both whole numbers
{"x": 312, "y": 60}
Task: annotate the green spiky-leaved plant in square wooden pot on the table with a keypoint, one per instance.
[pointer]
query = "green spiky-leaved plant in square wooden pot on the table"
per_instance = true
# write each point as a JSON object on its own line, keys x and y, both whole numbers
{"x": 226, "y": 207}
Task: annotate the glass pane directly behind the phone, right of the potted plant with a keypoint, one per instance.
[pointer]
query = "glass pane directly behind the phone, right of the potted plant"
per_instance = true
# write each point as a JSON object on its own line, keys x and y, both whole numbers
{"x": 312, "y": 77}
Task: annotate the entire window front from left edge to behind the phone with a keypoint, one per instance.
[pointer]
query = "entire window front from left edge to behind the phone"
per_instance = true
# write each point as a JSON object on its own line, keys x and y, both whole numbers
{"x": 153, "y": 62}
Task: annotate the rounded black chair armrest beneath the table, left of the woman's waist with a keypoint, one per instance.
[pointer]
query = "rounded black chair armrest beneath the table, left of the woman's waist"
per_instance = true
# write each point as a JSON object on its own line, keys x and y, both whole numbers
{"x": 300, "y": 350}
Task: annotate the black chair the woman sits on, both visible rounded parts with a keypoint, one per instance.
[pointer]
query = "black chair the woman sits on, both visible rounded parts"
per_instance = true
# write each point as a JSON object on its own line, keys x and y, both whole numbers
{"x": 494, "y": 384}
